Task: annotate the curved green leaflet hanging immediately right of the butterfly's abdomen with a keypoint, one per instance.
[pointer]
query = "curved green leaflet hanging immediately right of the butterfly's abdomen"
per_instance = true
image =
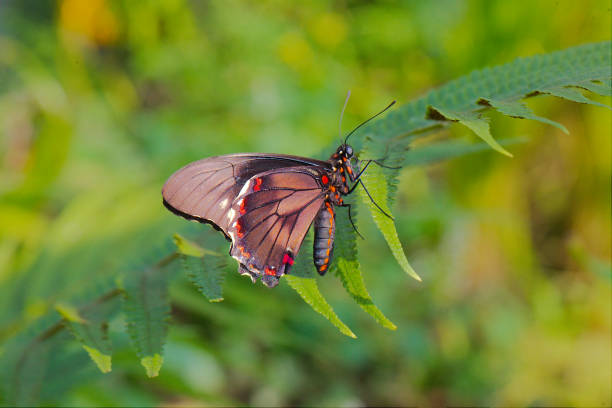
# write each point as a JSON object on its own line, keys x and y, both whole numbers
{"x": 346, "y": 266}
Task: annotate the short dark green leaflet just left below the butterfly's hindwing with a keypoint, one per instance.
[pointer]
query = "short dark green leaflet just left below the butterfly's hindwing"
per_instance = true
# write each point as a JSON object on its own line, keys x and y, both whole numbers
{"x": 207, "y": 274}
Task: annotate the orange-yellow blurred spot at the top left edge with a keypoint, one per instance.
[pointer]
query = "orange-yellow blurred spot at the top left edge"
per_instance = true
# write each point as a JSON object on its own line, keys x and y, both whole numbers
{"x": 92, "y": 19}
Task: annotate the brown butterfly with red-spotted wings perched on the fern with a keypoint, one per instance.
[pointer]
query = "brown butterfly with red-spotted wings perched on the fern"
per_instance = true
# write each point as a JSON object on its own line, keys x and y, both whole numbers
{"x": 265, "y": 203}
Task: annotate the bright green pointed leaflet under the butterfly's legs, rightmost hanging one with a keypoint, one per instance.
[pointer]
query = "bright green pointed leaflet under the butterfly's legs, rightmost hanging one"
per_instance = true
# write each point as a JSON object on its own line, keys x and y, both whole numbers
{"x": 375, "y": 181}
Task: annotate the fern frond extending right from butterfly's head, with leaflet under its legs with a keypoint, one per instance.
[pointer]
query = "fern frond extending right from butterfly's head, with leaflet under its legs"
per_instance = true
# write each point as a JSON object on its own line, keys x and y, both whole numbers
{"x": 560, "y": 74}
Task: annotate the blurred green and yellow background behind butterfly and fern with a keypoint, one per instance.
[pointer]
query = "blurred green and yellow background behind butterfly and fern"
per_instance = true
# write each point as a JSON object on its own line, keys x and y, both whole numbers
{"x": 100, "y": 101}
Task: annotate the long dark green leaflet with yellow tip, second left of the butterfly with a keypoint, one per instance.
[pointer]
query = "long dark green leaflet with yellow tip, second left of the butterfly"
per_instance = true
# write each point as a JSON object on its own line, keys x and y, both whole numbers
{"x": 147, "y": 310}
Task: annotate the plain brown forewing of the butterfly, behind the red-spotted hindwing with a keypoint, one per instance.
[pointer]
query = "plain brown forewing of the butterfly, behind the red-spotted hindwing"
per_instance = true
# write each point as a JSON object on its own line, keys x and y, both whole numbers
{"x": 206, "y": 189}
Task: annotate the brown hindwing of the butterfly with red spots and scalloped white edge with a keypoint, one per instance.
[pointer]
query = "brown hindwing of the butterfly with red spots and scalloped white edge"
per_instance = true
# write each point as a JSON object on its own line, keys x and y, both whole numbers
{"x": 270, "y": 217}
